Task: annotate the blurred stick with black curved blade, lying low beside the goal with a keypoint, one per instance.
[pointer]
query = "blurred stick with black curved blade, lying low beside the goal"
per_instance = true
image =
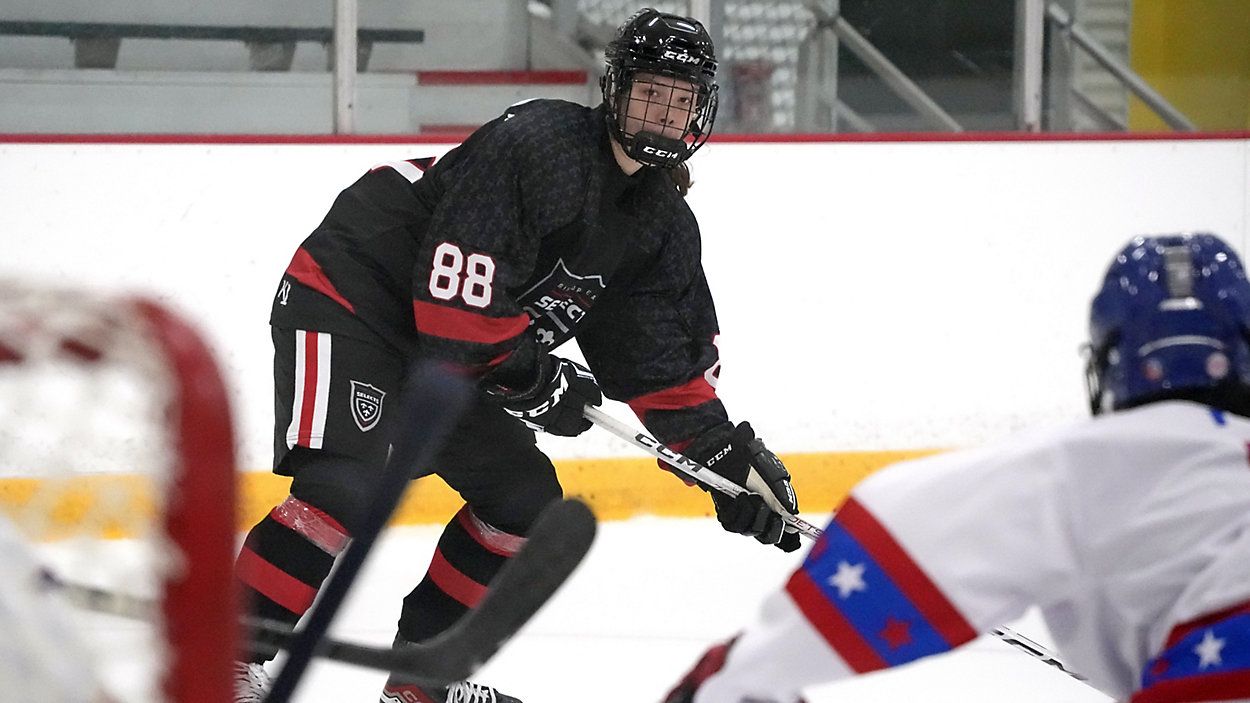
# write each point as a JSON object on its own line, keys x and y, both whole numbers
{"x": 557, "y": 544}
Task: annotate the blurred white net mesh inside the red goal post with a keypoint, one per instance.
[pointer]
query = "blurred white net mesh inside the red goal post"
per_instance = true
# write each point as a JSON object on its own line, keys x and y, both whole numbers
{"x": 92, "y": 460}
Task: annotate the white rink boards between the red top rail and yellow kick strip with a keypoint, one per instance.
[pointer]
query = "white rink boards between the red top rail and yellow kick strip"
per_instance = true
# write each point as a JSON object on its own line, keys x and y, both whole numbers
{"x": 872, "y": 296}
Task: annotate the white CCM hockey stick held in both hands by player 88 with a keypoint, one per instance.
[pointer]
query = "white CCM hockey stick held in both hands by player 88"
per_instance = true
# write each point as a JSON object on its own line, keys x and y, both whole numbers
{"x": 696, "y": 471}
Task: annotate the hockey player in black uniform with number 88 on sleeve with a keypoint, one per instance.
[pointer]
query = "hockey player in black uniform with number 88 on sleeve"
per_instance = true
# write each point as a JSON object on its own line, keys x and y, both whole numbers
{"x": 552, "y": 221}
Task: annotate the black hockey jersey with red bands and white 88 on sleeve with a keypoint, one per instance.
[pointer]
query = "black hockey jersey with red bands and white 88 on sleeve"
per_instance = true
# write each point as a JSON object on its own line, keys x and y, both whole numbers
{"x": 526, "y": 236}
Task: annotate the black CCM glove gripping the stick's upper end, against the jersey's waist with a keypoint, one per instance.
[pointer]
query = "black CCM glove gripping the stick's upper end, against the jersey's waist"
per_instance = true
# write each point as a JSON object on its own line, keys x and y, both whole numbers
{"x": 557, "y": 402}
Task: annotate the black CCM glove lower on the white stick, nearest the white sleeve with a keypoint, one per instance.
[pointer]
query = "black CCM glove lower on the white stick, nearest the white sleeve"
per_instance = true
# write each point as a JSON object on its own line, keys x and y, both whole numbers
{"x": 741, "y": 457}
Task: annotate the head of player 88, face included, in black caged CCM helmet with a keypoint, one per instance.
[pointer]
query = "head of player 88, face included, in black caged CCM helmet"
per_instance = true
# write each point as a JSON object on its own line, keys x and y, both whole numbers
{"x": 659, "y": 88}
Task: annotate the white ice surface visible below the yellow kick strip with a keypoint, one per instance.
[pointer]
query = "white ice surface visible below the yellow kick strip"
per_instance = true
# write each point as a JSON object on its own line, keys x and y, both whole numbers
{"x": 652, "y": 595}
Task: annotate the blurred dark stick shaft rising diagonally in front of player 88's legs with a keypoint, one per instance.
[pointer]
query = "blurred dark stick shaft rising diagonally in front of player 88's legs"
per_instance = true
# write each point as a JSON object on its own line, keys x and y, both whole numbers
{"x": 431, "y": 403}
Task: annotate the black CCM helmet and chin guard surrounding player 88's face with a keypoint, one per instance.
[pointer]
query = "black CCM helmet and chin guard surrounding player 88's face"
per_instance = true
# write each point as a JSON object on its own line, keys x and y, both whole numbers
{"x": 659, "y": 44}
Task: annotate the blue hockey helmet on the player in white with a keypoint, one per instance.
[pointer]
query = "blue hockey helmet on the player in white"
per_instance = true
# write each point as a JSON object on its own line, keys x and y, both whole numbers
{"x": 1172, "y": 320}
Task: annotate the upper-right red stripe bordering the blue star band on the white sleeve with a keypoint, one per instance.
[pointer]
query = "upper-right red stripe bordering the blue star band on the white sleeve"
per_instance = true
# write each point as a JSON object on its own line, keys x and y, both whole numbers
{"x": 906, "y": 574}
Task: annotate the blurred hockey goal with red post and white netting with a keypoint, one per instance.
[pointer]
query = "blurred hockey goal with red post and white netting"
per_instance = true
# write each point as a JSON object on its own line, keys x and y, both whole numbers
{"x": 117, "y": 475}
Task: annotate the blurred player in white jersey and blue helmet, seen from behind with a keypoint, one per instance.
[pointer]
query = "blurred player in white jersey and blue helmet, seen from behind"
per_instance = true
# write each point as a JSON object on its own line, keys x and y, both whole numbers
{"x": 1131, "y": 531}
